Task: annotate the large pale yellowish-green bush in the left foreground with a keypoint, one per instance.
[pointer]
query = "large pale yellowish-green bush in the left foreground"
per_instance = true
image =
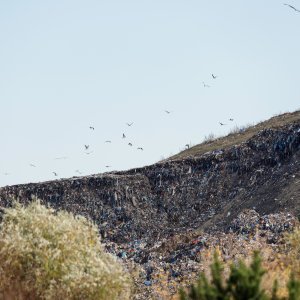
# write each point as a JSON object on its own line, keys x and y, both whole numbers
{"x": 54, "y": 255}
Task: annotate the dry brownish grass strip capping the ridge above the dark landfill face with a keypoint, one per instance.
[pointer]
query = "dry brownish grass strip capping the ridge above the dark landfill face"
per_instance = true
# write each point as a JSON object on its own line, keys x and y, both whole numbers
{"x": 239, "y": 135}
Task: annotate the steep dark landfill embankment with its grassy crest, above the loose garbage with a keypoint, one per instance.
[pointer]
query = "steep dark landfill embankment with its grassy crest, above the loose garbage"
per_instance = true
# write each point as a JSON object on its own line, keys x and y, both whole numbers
{"x": 257, "y": 168}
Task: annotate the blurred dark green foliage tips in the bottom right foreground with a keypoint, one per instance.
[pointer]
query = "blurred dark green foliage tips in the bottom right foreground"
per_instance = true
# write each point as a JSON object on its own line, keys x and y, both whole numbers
{"x": 243, "y": 283}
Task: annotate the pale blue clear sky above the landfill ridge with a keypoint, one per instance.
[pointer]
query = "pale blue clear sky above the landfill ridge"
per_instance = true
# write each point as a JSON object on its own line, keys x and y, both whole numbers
{"x": 67, "y": 65}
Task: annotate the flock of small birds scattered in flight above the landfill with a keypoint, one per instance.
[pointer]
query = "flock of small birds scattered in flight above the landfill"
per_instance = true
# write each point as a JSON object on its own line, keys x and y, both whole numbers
{"x": 187, "y": 146}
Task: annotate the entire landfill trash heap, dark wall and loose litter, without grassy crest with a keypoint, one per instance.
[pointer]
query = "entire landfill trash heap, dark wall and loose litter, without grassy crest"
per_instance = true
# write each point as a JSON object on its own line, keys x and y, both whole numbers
{"x": 153, "y": 216}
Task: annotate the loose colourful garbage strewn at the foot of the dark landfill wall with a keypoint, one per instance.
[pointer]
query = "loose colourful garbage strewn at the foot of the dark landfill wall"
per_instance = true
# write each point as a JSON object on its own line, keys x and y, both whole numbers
{"x": 176, "y": 261}
